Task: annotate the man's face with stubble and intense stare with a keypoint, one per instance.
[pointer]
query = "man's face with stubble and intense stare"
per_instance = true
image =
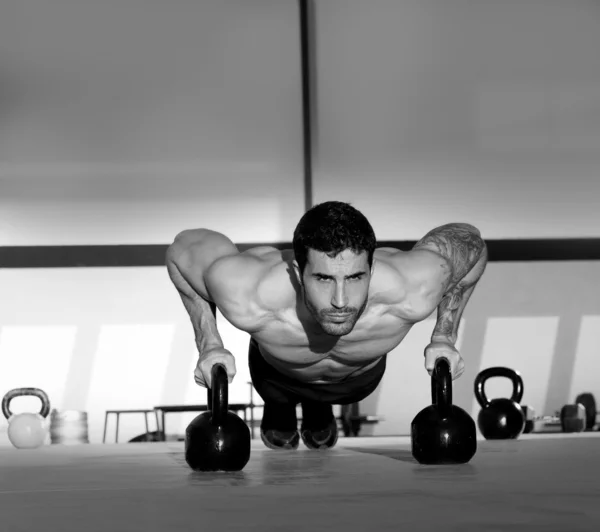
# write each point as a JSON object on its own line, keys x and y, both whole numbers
{"x": 335, "y": 290}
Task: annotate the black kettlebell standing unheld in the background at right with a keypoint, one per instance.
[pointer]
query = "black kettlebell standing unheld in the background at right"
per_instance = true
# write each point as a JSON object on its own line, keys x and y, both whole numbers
{"x": 501, "y": 418}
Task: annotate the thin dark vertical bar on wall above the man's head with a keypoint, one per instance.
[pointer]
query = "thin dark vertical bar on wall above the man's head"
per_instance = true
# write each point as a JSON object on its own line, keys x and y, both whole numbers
{"x": 306, "y": 74}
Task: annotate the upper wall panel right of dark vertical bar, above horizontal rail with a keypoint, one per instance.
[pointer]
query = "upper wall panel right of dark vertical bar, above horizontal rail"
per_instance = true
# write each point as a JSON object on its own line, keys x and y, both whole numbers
{"x": 431, "y": 111}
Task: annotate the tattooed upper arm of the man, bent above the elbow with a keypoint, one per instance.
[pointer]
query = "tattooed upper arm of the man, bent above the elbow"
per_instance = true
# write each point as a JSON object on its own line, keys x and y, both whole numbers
{"x": 460, "y": 244}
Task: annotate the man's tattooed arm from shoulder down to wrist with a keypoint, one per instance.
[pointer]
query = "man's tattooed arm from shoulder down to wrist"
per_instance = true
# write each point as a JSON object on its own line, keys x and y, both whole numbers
{"x": 465, "y": 258}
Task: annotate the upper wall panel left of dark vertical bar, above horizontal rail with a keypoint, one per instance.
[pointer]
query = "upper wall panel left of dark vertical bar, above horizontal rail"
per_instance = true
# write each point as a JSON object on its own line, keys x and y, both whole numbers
{"x": 126, "y": 122}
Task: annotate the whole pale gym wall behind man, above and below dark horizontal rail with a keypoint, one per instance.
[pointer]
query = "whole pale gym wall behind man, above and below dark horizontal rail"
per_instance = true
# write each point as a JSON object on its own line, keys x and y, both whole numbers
{"x": 127, "y": 122}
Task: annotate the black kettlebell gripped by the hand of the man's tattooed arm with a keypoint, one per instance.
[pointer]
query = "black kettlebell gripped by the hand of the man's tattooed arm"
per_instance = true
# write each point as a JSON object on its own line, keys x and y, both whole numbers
{"x": 443, "y": 433}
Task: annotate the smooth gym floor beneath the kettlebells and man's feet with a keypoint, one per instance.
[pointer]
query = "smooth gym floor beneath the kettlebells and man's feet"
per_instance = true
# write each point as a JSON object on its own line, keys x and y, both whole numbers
{"x": 546, "y": 482}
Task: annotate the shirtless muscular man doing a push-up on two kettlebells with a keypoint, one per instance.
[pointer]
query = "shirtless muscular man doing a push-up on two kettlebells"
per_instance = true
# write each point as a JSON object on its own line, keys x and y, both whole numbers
{"x": 323, "y": 316}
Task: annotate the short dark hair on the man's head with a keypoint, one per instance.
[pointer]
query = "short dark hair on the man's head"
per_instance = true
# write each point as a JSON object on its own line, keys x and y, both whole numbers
{"x": 332, "y": 227}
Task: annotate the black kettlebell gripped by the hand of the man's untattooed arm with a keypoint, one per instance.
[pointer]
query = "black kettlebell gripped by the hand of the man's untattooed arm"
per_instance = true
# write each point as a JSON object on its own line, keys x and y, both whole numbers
{"x": 217, "y": 440}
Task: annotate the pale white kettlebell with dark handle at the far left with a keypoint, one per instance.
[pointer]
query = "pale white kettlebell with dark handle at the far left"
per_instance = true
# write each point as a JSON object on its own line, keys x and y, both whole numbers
{"x": 26, "y": 430}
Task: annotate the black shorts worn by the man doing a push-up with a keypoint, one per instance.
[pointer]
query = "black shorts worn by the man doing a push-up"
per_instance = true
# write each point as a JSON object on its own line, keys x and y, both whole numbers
{"x": 274, "y": 387}
